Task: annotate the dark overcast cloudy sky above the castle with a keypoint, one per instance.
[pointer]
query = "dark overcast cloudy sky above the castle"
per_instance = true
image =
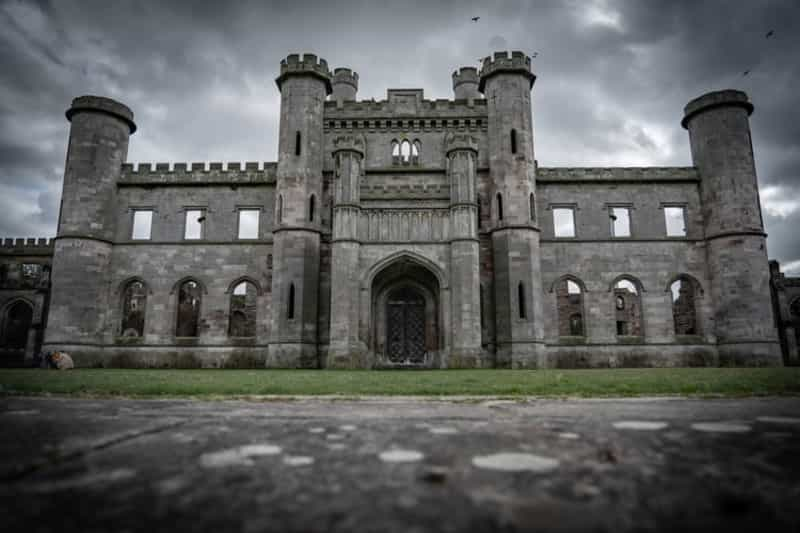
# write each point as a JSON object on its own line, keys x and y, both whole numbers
{"x": 613, "y": 78}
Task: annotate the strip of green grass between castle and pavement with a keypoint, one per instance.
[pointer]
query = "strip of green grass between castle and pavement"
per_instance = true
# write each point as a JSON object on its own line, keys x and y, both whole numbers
{"x": 238, "y": 383}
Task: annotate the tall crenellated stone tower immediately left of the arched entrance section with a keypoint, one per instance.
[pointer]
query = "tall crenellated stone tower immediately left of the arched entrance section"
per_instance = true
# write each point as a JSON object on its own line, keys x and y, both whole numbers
{"x": 304, "y": 84}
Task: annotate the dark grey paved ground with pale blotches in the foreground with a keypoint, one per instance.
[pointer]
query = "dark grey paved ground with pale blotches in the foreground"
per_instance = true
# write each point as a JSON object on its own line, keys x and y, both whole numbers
{"x": 399, "y": 465}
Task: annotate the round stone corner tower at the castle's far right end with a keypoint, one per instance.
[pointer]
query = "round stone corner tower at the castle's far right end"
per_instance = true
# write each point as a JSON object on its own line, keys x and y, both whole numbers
{"x": 722, "y": 151}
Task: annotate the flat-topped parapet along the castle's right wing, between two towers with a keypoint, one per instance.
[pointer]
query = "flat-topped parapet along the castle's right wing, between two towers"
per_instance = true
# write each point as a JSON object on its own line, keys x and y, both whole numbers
{"x": 565, "y": 175}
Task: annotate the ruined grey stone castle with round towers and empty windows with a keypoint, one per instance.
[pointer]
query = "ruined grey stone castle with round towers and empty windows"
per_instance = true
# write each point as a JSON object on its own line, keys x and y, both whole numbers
{"x": 400, "y": 233}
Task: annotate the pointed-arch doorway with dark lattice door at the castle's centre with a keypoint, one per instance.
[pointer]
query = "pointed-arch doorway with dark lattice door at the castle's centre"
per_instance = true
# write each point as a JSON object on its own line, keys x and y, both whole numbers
{"x": 405, "y": 322}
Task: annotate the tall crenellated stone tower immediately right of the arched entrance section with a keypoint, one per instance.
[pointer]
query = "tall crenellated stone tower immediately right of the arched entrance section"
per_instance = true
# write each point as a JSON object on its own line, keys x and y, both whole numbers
{"x": 506, "y": 82}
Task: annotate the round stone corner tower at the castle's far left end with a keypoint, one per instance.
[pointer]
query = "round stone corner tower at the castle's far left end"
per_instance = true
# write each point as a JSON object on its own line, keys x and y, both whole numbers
{"x": 79, "y": 305}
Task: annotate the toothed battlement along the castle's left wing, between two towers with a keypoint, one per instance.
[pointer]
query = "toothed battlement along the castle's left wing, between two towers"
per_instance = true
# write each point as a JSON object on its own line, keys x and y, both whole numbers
{"x": 198, "y": 173}
